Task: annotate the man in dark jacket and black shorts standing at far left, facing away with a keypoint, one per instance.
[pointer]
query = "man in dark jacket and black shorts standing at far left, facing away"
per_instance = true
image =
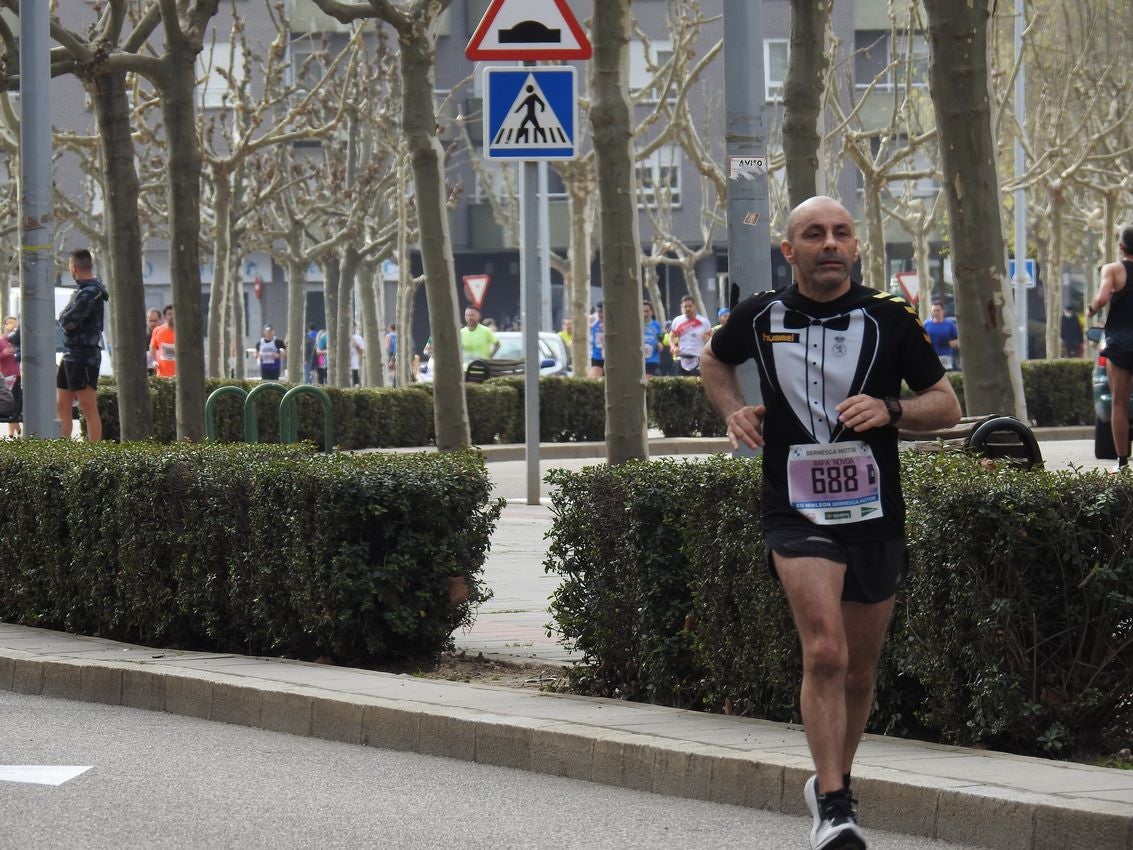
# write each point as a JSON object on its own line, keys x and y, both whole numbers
{"x": 82, "y": 324}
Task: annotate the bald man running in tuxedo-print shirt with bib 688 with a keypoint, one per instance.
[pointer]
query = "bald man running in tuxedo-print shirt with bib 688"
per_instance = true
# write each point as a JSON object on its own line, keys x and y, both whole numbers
{"x": 832, "y": 356}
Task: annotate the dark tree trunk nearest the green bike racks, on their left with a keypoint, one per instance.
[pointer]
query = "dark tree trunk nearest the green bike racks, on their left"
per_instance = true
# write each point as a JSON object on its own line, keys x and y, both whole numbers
{"x": 180, "y": 115}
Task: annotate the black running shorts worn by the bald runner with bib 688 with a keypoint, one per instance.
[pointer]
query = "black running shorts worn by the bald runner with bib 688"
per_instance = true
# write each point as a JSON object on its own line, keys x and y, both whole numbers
{"x": 875, "y": 569}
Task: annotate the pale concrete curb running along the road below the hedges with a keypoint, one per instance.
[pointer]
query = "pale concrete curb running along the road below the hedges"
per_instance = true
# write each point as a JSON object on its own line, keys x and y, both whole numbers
{"x": 265, "y": 694}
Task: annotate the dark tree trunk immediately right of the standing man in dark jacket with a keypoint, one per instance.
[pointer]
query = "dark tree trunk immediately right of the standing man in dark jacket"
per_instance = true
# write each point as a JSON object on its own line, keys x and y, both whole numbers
{"x": 124, "y": 232}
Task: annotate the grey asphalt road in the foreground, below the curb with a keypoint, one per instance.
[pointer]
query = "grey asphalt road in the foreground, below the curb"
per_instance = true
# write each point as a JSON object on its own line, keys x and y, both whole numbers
{"x": 165, "y": 781}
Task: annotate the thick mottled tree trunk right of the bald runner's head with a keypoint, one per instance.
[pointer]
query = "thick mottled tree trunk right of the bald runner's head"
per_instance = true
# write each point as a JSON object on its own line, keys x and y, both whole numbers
{"x": 985, "y": 310}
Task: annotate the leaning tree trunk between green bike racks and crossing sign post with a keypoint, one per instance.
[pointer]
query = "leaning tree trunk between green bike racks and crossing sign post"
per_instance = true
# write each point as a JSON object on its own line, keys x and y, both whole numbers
{"x": 419, "y": 121}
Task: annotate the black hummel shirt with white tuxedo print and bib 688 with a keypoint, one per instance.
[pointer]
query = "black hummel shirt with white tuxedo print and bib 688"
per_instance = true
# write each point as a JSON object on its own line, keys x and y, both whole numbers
{"x": 813, "y": 356}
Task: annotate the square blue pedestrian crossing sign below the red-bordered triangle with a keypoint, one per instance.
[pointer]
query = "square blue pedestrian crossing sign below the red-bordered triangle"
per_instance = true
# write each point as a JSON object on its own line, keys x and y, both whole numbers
{"x": 531, "y": 114}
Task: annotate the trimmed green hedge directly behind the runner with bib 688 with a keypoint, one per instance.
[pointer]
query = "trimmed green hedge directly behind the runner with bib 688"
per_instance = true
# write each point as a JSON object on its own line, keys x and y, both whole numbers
{"x": 1015, "y": 631}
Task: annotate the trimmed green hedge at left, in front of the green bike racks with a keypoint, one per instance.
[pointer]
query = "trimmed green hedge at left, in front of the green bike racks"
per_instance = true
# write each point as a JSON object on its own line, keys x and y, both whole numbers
{"x": 260, "y": 550}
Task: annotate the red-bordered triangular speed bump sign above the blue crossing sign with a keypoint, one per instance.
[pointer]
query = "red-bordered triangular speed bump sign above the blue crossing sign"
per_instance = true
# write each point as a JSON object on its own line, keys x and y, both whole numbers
{"x": 529, "y": 30}
